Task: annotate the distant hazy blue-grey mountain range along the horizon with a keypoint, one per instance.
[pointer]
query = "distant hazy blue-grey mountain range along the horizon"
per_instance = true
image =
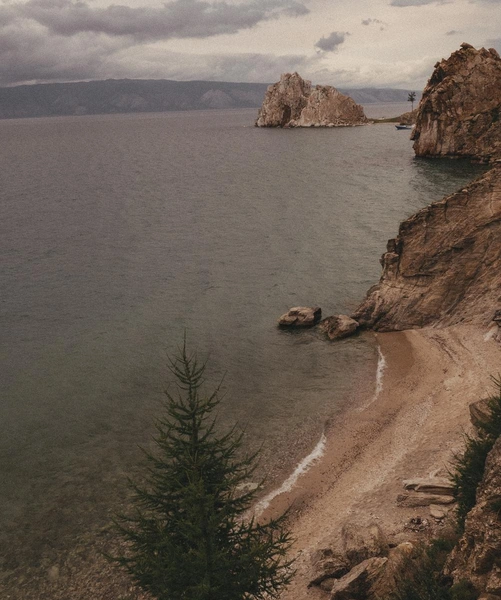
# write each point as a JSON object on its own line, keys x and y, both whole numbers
{"x": 146, "y": 95}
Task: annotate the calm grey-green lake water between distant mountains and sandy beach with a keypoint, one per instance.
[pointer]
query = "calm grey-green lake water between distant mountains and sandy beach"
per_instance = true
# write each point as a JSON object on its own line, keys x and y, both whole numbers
{"x": 120, "y": 233}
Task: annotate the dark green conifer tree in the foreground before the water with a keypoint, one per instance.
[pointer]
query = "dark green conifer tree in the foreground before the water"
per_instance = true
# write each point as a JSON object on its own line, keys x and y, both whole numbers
{"x": 188, "y": 537}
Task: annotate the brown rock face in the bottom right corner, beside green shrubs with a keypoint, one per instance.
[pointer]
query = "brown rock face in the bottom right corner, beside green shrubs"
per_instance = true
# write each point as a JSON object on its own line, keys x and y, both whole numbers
{"x": 477, "y": 557}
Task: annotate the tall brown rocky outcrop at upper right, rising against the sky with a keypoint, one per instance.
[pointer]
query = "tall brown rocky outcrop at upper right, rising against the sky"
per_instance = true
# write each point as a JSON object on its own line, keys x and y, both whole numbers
{"x": 460, "y": 110}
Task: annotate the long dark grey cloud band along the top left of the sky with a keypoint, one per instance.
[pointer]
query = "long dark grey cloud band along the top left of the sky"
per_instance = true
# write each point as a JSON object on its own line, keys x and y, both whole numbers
{"x": 176, "y": 19}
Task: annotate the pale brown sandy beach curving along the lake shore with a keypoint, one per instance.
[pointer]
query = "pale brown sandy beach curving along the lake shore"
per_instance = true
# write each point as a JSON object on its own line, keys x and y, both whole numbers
{"x": 411, "y": 428}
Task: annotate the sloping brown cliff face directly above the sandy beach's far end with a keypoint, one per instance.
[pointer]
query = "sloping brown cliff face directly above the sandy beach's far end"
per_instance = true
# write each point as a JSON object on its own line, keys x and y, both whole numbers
{"x": 445, "y": 264}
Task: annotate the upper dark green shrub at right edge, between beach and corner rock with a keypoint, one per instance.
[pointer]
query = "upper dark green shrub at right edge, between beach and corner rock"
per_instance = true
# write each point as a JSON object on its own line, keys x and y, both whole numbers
{"x": 470, "y": 465}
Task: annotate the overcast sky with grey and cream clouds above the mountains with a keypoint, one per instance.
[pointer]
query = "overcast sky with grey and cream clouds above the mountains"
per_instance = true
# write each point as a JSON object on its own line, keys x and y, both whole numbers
{"x": 346, "y": 43}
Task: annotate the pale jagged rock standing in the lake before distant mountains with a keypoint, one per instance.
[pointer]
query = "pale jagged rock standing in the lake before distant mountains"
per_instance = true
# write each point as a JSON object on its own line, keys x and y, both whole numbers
{"x": 292, "y": 102}
